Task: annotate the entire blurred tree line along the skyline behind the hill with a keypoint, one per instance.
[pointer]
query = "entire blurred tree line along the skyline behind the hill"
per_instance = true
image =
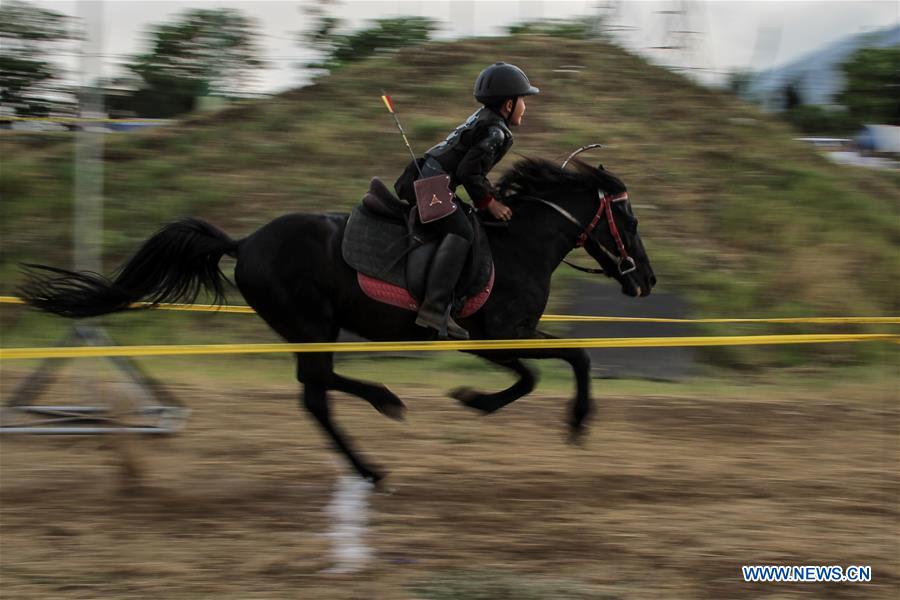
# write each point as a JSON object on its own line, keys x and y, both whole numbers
{"x": 215, "y": 52}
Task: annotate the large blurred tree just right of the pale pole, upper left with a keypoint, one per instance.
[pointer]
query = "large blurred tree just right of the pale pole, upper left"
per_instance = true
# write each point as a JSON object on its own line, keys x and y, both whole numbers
{"x": 205, "y": 52}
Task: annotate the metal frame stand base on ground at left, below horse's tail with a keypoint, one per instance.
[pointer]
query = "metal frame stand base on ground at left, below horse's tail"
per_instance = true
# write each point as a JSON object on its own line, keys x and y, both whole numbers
{"x": 19, "y": 415}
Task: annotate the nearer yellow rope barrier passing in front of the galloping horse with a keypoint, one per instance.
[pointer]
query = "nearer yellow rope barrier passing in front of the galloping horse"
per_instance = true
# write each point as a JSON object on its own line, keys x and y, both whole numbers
{"x": 176, "y": 350}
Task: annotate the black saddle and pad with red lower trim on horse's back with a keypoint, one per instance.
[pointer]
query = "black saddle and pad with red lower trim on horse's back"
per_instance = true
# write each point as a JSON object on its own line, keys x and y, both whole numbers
{"x": 391, "y": 252}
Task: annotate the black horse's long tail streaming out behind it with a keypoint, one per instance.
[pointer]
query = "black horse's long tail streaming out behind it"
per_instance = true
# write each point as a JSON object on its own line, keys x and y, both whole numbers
{"x": 172, "y": 266}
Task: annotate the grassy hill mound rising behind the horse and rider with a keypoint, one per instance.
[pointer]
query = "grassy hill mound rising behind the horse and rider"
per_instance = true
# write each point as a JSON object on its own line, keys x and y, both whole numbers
{"x": 735, "y": 215}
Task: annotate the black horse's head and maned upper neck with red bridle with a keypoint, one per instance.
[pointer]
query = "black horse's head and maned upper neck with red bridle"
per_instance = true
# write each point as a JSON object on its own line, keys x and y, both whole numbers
{"x": 596, "y": 202}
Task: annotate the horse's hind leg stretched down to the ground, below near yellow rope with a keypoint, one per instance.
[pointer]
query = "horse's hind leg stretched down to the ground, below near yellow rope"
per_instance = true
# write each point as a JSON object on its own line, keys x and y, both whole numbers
{"x": 315, "y": 372}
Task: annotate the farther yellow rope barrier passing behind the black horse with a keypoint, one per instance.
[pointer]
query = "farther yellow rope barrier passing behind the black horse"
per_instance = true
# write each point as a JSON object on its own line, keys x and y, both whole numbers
{"x": 545, "y": 318}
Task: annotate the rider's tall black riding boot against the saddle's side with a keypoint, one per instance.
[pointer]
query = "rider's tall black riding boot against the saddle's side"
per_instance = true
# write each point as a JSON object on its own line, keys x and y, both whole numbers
{"x": 446, "y": 267}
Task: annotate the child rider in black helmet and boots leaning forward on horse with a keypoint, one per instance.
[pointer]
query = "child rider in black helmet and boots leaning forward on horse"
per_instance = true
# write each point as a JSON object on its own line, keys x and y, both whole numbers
{"x": 467, "y": 155}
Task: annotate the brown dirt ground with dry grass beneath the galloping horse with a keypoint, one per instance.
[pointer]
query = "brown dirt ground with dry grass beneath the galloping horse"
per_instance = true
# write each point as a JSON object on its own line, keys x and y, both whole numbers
{"x": 668, "y": 497}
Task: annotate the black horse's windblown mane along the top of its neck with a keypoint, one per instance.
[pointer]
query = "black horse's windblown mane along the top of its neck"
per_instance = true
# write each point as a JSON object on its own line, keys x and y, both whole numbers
{"x": 536, "y": 176}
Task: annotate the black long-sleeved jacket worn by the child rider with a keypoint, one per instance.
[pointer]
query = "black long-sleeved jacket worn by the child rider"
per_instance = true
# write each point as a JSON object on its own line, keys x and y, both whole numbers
{"x": 467, "y": 155}
